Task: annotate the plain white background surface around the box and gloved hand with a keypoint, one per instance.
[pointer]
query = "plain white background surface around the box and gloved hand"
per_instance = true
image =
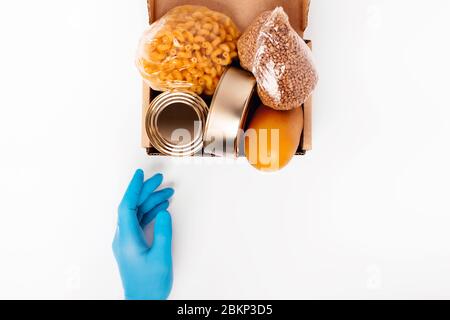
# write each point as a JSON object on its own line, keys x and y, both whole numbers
{"x": 366, "y": 214}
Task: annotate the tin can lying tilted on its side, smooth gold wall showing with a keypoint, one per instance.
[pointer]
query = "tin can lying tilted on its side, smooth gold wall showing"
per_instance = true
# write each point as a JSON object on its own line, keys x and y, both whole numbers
{"x": 228, "y": 113}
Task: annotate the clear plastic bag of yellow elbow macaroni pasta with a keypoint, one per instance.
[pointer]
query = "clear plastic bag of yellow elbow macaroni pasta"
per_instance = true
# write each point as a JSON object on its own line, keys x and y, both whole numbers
{"x": 187, "y": 49}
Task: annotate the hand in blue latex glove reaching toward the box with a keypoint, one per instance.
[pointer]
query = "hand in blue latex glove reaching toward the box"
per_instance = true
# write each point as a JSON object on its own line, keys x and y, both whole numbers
{"x": 146, "y": 271}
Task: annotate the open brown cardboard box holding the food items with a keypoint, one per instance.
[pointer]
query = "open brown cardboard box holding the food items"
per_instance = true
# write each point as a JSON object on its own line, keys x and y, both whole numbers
{"x": 242, "y": 13}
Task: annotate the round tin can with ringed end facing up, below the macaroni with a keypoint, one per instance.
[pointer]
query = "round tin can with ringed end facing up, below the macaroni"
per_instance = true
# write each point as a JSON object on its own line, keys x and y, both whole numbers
{"x": 175, "y": 123}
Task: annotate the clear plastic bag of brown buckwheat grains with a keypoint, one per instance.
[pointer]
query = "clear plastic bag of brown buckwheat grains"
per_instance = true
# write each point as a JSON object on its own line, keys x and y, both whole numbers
{"x": 280, "y": 60}
